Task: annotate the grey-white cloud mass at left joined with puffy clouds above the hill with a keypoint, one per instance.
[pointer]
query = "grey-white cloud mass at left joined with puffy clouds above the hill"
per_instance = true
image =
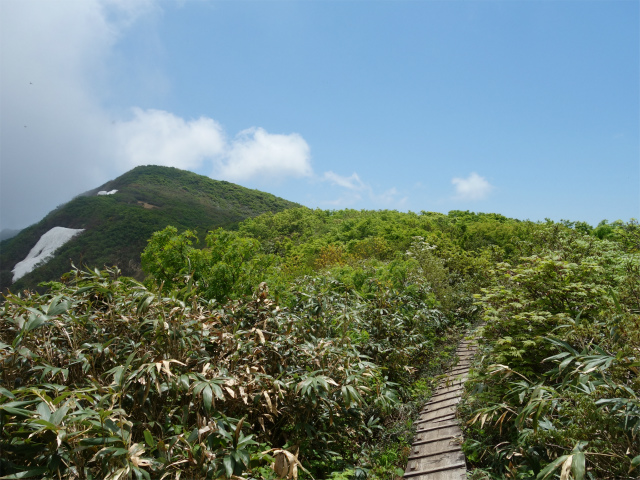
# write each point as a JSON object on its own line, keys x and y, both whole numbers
{"x": 57, "y": 136}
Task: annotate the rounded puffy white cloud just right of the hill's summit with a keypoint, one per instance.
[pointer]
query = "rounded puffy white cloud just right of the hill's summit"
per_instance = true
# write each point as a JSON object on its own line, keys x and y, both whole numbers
{"x": 255, "y": 153}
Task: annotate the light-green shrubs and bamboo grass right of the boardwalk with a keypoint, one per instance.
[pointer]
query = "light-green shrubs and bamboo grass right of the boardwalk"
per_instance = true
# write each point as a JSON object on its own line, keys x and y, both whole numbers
{"x": 557, "y": 392}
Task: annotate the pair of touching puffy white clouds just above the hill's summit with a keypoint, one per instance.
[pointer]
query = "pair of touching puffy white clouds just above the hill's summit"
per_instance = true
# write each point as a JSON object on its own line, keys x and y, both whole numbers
{"x": 162, "y": 138}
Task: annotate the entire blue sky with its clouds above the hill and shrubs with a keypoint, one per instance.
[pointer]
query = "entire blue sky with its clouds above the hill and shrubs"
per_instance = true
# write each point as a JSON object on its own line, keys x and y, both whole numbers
{"x": 525, "y": 108}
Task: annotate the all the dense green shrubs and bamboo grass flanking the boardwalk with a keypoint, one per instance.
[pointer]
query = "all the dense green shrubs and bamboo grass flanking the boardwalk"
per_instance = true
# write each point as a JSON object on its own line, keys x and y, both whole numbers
{"x": 304, "y": 342}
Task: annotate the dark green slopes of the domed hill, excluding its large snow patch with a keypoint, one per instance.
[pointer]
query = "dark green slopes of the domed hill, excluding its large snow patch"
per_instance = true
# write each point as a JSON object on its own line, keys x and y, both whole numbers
{"x": 118, "y": 225}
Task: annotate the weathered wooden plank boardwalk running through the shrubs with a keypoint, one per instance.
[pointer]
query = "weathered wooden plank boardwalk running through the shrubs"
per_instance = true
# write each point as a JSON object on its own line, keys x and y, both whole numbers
{"x": 436, "y": 453}
